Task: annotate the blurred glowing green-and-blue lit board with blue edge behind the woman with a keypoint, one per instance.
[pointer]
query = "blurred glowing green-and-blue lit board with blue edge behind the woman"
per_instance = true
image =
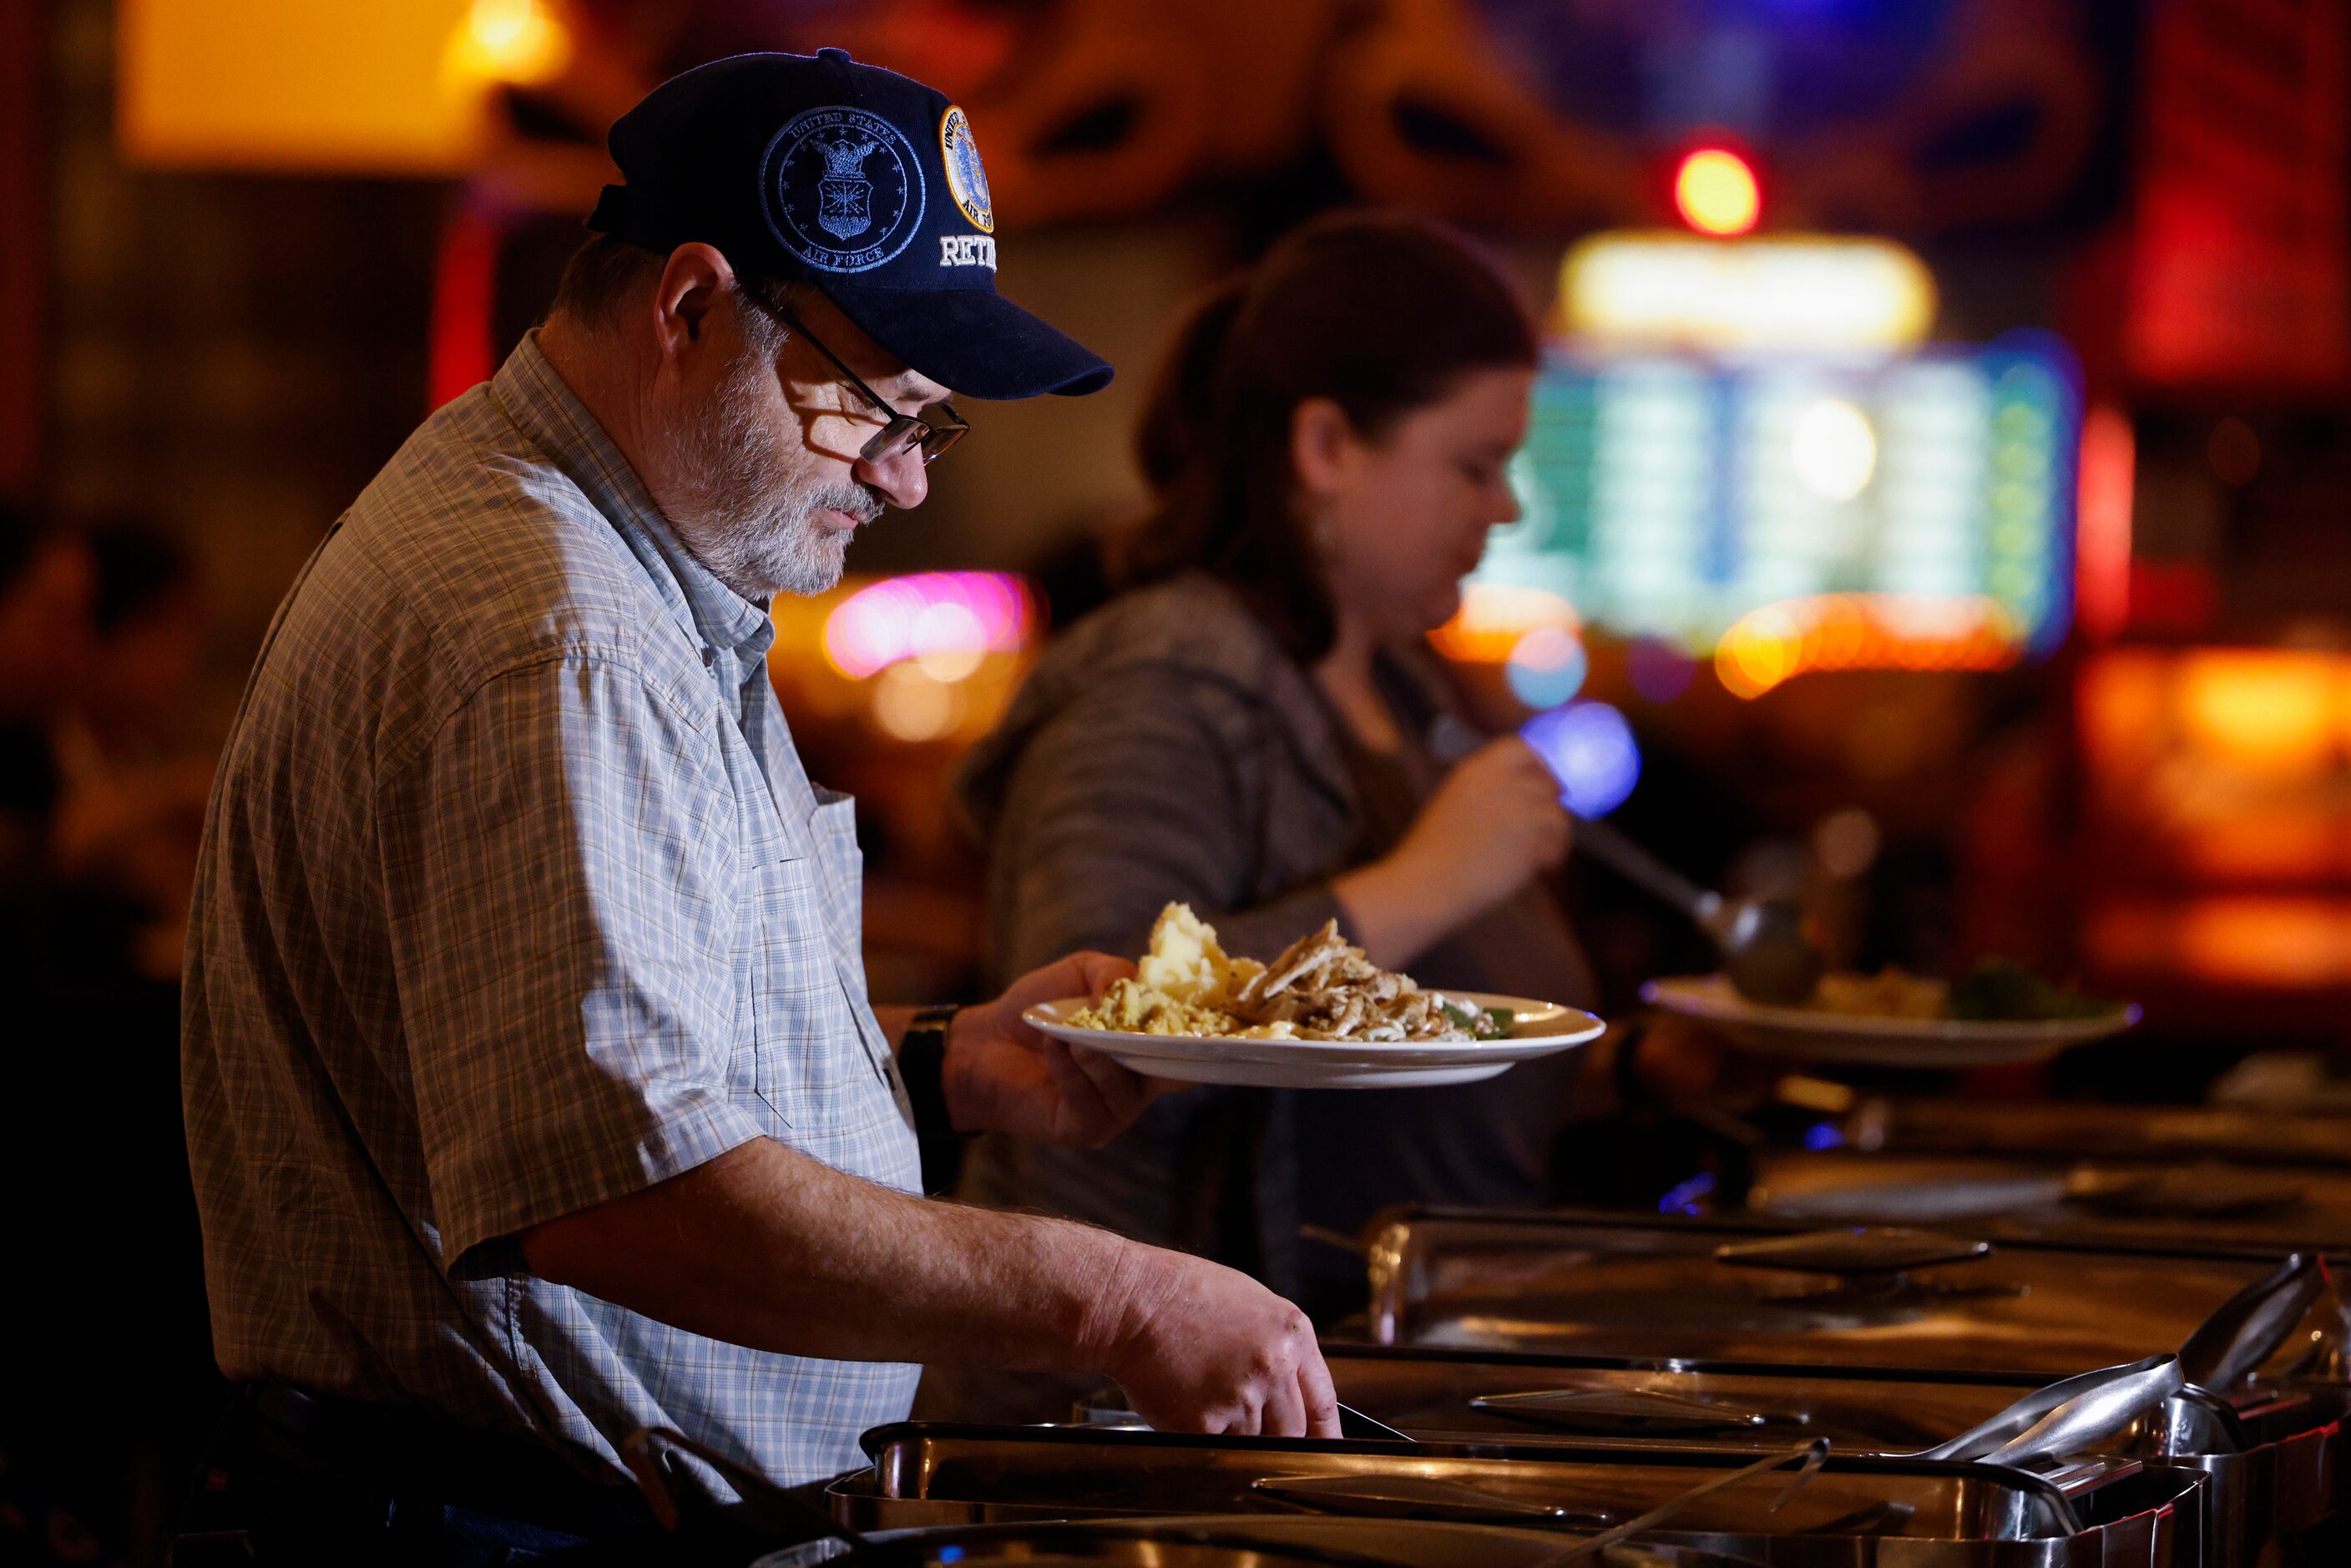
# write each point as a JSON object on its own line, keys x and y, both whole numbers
{"x": 1670, "y": 497}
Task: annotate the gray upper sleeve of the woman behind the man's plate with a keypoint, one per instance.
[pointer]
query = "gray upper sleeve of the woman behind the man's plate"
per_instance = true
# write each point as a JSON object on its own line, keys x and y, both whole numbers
{"x": 1127, "y": 800}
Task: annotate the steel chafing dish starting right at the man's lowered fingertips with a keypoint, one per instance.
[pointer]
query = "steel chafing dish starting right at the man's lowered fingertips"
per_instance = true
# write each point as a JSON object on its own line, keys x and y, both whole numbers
{"x": 2270, "y": 1459}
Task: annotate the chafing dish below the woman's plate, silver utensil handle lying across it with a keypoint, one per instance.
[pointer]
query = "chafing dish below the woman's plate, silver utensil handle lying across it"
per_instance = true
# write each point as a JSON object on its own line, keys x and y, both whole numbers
{"x": 2061, "y": 1198}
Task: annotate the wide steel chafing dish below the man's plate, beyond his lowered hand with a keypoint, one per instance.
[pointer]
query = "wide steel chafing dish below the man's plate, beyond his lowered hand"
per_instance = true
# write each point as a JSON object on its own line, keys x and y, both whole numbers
{"x": 1574, "y": 1282}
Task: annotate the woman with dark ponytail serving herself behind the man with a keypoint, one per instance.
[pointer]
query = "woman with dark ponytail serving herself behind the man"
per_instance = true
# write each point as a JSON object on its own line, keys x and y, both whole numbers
{"x": 1259, "y": 730}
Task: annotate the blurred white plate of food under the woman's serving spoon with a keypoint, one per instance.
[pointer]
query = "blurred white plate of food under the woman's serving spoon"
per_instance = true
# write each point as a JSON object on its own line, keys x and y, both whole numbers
{"x": 1807, "y": 1036}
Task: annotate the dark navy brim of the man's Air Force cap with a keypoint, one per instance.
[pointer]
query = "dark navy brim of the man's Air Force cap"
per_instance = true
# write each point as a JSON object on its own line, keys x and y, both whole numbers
{"x": 974, "y": 342}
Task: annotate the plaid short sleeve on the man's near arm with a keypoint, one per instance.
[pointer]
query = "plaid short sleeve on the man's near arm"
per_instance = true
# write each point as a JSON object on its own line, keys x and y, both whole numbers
{"x": 561, "y": 880}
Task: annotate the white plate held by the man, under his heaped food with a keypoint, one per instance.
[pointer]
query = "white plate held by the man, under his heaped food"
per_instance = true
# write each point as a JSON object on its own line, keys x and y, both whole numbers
{"x": 1543, "y": 1028}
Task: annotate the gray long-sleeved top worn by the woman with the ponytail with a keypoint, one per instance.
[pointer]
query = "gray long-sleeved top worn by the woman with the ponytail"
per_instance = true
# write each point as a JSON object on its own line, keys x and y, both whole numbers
{"x": 1167, "y": 749}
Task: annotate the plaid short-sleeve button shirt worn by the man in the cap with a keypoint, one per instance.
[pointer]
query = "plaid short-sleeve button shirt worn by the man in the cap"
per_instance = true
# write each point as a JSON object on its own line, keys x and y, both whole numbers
{"x": 516, "y": 899}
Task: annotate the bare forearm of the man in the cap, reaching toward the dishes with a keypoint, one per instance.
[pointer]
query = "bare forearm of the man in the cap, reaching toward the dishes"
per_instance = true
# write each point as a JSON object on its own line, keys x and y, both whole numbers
{"x": 772, "y": 1249}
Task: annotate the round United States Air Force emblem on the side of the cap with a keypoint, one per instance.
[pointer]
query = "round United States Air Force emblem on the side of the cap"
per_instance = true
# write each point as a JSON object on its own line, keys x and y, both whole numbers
{"x": 845, "y": 189}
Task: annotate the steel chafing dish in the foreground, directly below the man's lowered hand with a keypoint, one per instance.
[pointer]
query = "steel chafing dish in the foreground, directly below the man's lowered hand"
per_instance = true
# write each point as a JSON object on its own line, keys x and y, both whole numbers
{"x": 1854, "y": 1515}
